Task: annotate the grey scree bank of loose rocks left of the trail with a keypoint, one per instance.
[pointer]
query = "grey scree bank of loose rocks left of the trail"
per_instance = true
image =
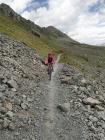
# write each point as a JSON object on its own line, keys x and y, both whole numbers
{"x": 21, "y": 74}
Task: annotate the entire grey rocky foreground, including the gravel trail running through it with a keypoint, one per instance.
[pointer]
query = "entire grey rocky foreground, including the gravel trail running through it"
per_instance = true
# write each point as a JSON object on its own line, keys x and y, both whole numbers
{"x": 69, "y": 107}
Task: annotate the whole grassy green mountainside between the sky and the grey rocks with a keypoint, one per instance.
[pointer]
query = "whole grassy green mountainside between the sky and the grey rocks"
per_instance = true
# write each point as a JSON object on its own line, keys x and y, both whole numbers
{"x": 50, "y": 39}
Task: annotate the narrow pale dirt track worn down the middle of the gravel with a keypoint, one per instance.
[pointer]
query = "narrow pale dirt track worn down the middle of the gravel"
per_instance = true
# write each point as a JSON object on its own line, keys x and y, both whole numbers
{"x": 50, "y": 115}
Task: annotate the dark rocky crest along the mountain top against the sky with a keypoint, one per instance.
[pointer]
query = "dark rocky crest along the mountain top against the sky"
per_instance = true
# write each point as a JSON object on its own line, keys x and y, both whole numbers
{"x": 8, "y": 11}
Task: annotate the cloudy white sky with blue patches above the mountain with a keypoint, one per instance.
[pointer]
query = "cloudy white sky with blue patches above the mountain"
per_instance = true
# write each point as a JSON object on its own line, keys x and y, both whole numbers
{"x": 82, "y": 20}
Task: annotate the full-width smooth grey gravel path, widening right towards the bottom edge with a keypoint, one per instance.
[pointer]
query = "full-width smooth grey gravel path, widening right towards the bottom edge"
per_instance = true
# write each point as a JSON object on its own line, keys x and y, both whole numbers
{"x": 60, "y": 125}
